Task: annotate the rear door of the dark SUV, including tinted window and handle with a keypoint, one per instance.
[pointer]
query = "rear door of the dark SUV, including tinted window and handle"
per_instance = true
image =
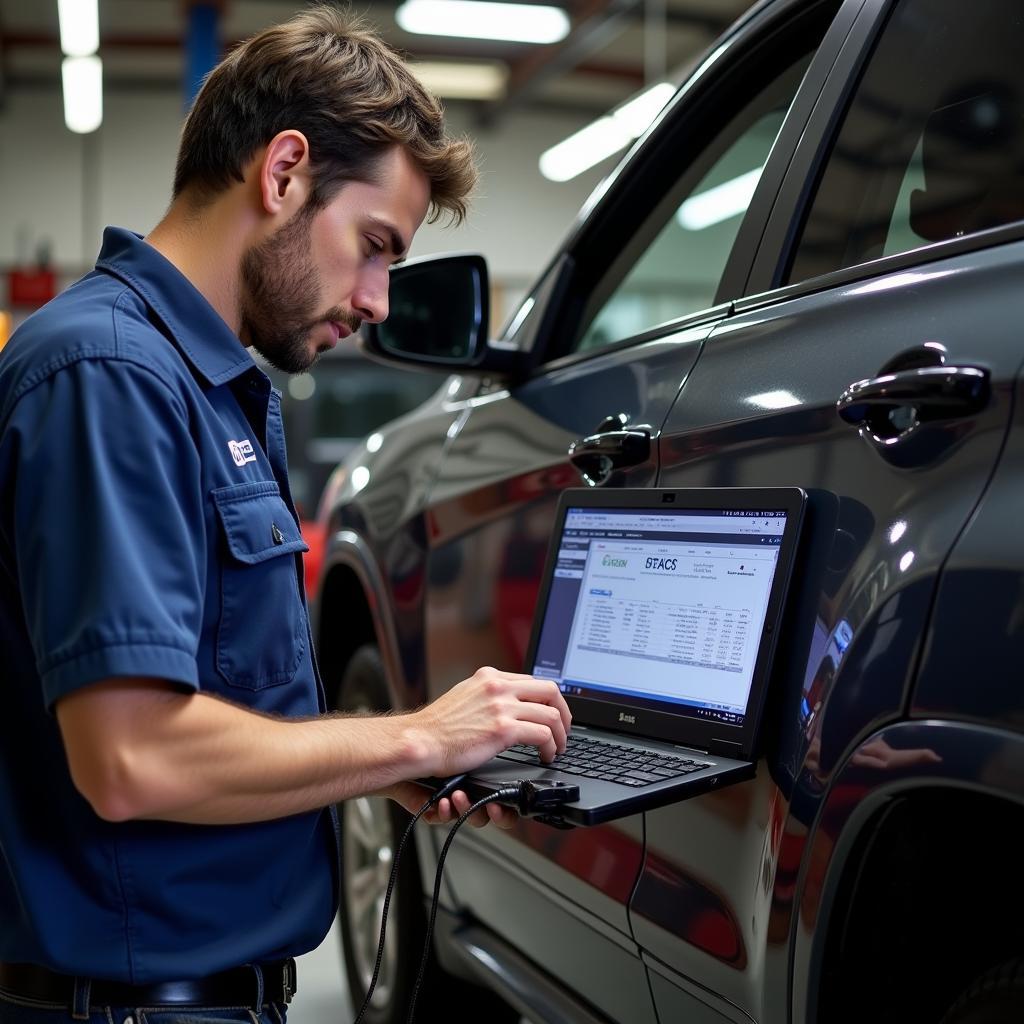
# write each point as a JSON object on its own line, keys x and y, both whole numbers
{"x": 866, "y": 367}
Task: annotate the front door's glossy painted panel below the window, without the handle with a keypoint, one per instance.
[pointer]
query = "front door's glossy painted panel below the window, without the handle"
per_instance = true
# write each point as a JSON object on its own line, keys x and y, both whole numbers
{"x": 490, "y": 525}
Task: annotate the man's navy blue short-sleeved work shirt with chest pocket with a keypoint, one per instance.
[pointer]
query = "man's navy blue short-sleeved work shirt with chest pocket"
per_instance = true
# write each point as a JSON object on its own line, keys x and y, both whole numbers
{"x": 146, "y": 530}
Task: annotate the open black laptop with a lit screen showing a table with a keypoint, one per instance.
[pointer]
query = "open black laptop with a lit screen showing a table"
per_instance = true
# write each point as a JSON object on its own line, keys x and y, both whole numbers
{"x": 658, "y": 617}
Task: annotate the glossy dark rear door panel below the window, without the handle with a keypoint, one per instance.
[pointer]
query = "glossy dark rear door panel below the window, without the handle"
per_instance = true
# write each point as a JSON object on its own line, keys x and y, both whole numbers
{"x": 893, "y": 528}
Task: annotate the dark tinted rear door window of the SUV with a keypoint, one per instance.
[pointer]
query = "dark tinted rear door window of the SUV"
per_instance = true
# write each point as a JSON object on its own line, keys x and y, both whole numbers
{"x": 932, "y": 146}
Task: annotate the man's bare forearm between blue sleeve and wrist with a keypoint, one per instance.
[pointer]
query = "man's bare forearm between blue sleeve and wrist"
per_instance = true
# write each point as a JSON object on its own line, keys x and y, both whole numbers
{"x": 149, "y": 752}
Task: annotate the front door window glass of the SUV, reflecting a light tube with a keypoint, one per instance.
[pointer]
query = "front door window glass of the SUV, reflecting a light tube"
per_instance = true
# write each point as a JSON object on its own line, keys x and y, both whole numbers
{"x": 674, "y": 265}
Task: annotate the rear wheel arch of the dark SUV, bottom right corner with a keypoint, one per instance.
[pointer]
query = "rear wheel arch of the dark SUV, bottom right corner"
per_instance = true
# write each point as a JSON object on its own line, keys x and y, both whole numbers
{"x": 918, "y": 887}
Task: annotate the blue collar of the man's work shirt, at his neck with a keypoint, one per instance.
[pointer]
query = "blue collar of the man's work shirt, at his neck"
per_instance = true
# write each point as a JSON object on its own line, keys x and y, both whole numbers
{"x": 198, "y": 329}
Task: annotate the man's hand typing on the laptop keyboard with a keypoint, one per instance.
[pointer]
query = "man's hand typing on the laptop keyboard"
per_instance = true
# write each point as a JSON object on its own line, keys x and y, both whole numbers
{"x": 489, "y": 713}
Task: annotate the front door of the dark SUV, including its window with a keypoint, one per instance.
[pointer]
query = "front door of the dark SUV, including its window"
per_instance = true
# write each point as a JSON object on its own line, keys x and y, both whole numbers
{"x": 617, "y": 326}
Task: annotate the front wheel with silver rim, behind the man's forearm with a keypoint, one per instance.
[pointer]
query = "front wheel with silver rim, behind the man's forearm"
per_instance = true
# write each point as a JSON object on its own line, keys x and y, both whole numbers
{"x": 371, "y": 831}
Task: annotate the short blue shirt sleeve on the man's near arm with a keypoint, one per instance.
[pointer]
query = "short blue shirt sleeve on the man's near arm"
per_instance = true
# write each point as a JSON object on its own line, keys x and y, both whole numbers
{"x": 109, "y": 530}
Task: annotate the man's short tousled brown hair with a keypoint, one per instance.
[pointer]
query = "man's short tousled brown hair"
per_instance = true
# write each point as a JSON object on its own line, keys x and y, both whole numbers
{"x": 353, "y": 97}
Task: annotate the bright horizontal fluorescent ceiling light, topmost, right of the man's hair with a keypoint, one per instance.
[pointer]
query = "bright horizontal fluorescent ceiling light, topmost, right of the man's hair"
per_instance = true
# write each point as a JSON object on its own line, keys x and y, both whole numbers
{"x": 483, "y": 20}
